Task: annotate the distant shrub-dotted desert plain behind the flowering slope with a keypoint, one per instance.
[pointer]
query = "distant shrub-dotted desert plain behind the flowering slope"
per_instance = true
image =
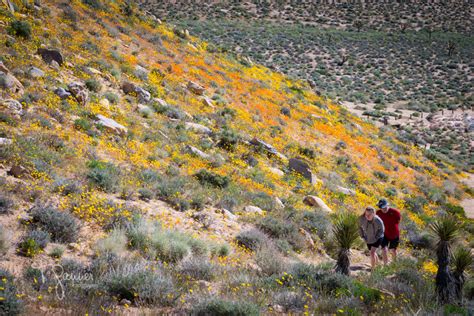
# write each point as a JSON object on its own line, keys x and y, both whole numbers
{"x": 395, "y": 63}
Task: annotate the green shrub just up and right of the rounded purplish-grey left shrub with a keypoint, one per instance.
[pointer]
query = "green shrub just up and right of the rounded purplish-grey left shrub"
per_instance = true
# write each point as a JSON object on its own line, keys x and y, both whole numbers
{"x": 103, "y": 174}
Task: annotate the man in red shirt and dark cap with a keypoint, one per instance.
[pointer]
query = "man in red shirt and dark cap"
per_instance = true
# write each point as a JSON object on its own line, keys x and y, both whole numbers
{"x": 391, "y": 218}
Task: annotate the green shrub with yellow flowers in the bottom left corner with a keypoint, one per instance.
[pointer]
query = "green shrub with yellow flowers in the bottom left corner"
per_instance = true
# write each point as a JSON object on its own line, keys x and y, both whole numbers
{"x": 10, "y": 304}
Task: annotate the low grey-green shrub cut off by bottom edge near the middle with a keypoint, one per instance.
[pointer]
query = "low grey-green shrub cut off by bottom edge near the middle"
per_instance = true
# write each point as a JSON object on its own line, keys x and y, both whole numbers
{"x": 220, "y": 307}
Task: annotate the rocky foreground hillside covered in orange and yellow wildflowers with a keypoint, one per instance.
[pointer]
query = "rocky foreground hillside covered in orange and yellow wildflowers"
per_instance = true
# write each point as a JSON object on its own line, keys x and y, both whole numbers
{"x": 143, "y": 171}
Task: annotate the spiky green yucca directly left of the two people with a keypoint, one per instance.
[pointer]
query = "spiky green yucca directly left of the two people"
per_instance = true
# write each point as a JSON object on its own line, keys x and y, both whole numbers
{"x": 346, "y": 232}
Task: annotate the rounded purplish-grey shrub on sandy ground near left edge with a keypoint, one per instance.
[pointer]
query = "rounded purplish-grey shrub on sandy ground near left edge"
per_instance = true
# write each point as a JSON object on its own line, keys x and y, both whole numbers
{"x": 62, "y": 226}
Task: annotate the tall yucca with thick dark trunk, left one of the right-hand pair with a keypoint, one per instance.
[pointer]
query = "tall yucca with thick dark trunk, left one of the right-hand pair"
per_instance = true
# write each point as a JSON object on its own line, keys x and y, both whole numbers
{"x": 445, "y": 230}
